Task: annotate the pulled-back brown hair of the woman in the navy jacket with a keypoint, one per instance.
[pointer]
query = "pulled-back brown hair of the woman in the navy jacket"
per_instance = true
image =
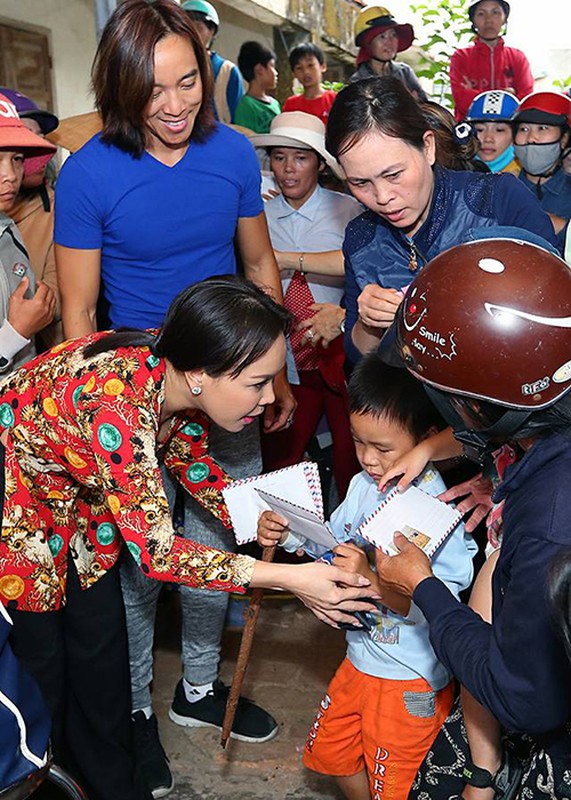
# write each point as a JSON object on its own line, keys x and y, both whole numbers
{"x": 381, "y": 104}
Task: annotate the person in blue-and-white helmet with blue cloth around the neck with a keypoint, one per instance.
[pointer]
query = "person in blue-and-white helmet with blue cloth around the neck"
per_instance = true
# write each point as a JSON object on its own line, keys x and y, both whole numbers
{"x": 490, "y": 113}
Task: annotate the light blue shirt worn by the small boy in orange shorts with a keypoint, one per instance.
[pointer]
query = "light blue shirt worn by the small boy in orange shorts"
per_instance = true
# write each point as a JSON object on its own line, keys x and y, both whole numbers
{"x": 398, "y": 648}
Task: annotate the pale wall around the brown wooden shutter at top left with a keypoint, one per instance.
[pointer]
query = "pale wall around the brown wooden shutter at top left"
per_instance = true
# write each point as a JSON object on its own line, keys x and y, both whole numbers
{"x": 70, "y": 26}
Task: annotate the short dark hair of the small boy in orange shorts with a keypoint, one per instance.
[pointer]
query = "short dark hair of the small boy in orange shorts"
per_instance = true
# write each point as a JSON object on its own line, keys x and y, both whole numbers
{"x": 383, "y": 391}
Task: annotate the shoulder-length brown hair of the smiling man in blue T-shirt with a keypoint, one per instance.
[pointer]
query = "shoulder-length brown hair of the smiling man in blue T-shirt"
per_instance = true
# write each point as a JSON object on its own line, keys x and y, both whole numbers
{"x": 123, "y": 70}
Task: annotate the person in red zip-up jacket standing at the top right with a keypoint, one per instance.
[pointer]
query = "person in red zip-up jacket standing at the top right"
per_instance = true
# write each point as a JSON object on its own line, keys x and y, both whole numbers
{"x": 488, "y": 63}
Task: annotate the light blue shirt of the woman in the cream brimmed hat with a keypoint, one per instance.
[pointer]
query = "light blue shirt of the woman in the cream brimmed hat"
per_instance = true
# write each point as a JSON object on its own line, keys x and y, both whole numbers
{"x": 316, "y": 227}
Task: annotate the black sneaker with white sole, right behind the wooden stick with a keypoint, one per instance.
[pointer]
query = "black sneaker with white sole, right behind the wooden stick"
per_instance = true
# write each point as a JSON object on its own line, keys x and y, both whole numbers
{"x": 251, "y": 723}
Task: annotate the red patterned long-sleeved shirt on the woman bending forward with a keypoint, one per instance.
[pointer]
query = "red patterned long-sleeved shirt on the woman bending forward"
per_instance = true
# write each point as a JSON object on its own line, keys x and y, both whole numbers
{"x": 82, "y": 476}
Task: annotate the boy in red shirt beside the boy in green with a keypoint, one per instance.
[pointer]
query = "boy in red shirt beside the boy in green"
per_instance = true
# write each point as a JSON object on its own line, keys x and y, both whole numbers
{"x": 307, "y": 62}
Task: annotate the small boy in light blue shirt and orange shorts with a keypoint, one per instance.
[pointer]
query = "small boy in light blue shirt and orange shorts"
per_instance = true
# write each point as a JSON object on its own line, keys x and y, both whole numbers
{"x": 390, "y": 696}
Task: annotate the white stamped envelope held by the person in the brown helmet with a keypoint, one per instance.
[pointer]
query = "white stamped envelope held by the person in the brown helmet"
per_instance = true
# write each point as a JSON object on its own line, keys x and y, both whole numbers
{"x": 423, "y": 519}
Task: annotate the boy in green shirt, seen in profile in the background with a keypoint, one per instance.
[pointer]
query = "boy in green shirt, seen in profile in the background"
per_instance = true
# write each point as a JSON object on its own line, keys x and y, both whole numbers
{"x": 257, "y": 108}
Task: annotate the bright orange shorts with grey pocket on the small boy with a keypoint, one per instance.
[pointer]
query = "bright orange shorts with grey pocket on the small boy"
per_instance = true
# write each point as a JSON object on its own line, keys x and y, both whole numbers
{"x": 382, "y": 725}
